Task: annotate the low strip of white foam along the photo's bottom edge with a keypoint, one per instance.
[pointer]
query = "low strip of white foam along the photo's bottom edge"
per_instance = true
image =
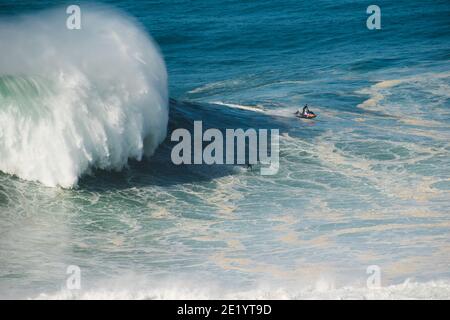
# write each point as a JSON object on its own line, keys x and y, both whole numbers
{"x": 321, "y": 290}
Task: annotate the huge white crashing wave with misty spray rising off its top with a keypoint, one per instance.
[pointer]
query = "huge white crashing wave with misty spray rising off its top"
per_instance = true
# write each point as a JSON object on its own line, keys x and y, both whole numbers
{"x": 75, "y": 100}
